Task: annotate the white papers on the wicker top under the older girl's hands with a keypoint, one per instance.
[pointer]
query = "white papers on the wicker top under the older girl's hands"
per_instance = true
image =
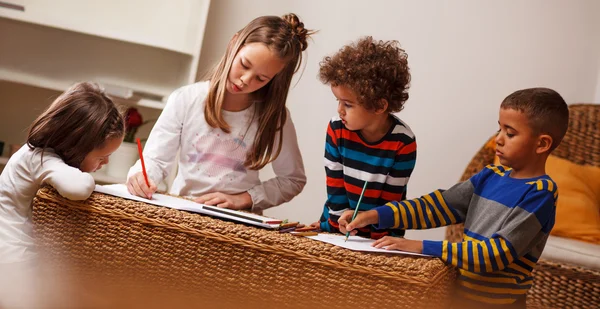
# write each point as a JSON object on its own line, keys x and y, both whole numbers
{"x": 120, "y": 190}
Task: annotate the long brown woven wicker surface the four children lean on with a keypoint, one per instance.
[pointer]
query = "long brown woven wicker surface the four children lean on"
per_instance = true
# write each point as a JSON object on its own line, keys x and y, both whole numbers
{"x": 220, "y": 264}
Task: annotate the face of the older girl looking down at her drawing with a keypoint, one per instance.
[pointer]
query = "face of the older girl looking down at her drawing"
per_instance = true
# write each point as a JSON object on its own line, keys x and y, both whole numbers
{"x": 252, "y": 68}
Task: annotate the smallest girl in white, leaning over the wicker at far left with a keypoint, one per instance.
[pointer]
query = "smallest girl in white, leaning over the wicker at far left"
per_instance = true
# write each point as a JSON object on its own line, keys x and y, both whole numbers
{"x": 73, "y": 137}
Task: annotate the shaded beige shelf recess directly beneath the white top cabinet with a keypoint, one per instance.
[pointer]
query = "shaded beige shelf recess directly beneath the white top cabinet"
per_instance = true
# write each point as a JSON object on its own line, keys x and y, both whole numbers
{"x": 143, "y": 69}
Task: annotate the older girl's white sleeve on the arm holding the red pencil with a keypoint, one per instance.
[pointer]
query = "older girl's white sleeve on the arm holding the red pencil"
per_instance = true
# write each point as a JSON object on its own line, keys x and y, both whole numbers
{"x": 164, "y": 140}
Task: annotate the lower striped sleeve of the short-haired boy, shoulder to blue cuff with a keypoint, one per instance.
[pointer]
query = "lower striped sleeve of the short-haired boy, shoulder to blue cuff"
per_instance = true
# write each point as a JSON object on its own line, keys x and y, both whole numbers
{"x": 527, "y": 223}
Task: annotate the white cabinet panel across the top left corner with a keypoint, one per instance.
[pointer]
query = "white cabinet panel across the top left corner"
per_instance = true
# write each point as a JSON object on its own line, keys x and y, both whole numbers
{"x": 169, "y": 25}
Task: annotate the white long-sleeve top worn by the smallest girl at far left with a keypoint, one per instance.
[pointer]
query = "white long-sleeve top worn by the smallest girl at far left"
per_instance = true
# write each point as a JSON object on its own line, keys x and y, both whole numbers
{"x": 20, "y": 180}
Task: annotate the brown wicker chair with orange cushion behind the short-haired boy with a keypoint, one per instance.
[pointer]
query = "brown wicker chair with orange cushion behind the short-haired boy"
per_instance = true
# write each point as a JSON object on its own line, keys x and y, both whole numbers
{"x": 557, "y": 285}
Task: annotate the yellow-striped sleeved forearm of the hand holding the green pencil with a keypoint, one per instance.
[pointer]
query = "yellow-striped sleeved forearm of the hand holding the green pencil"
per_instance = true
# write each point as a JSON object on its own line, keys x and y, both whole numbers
{"x": 429, "y": 211}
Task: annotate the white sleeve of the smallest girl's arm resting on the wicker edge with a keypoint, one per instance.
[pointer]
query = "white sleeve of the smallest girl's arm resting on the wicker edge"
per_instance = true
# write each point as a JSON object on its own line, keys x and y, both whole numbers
{"x": 70, "y": 182}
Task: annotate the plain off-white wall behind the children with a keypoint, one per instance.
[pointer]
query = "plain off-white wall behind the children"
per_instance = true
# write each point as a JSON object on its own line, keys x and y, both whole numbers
{"x": 465, "y": 57}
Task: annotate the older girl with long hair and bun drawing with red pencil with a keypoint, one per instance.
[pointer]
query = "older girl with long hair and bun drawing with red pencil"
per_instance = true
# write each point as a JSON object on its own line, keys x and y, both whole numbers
{"x": 229, "y": 127}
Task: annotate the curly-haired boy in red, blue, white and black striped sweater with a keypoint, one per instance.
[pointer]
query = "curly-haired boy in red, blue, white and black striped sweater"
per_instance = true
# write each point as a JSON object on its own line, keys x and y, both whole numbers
{"x": 365, "y": 142}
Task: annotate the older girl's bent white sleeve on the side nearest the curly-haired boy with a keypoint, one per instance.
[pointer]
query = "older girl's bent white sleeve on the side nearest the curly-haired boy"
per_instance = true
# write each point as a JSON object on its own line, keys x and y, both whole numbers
{"x": 289, "y": 170}
